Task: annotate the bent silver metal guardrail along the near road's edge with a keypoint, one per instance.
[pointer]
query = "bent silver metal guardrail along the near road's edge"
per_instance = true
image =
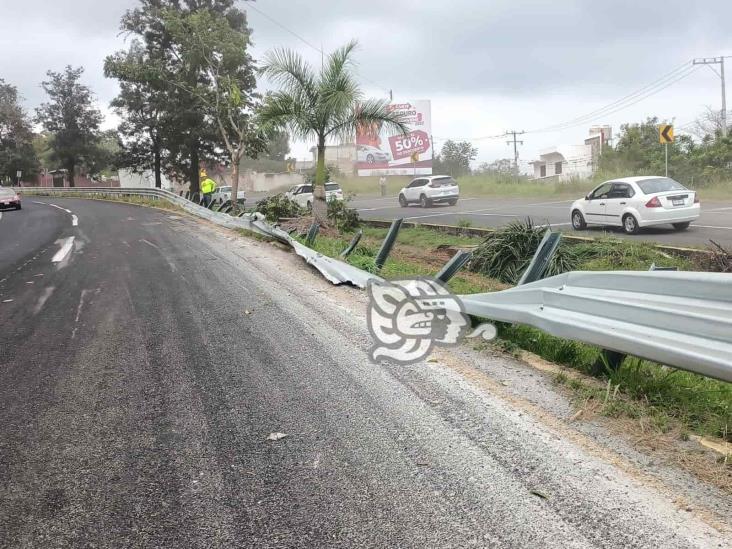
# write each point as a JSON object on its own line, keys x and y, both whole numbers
{"x": 680, "y": 319}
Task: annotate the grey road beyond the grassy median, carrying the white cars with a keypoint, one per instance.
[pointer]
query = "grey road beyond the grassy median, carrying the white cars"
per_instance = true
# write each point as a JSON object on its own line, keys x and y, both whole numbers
{"x": 715, "y": 222}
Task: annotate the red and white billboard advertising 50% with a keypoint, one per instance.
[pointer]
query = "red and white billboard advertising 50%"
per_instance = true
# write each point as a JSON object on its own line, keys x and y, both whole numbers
{"x": 381, "y": 153}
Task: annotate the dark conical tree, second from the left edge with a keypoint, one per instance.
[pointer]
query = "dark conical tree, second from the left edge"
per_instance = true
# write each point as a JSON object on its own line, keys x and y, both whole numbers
{"x": 72, "y": 118}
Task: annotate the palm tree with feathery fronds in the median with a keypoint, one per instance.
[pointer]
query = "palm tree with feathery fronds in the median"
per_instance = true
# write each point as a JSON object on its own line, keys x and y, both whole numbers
{"x": 321, "y": 106}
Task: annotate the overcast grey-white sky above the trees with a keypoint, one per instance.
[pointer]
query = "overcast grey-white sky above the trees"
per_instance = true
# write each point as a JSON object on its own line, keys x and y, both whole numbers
{"x": 488, "y": 66}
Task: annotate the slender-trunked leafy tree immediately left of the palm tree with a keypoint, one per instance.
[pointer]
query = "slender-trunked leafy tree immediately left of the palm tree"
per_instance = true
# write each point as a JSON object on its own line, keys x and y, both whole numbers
{"x": 207, "y": 40}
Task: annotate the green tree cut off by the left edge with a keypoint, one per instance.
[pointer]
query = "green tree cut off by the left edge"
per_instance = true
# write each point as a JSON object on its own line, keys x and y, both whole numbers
{"x": 16, "y": 136}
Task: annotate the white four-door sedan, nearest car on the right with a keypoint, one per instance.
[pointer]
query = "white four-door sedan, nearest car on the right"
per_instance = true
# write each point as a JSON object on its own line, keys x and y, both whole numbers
{"x": 636, "y": 202}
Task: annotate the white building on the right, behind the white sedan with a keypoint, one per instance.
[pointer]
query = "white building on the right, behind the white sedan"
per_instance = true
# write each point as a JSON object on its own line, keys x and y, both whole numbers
{"x": 566, "y": 162}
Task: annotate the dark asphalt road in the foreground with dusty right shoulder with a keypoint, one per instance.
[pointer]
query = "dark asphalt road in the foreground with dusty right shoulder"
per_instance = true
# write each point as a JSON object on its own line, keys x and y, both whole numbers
{"x": 146, "y": 358}
